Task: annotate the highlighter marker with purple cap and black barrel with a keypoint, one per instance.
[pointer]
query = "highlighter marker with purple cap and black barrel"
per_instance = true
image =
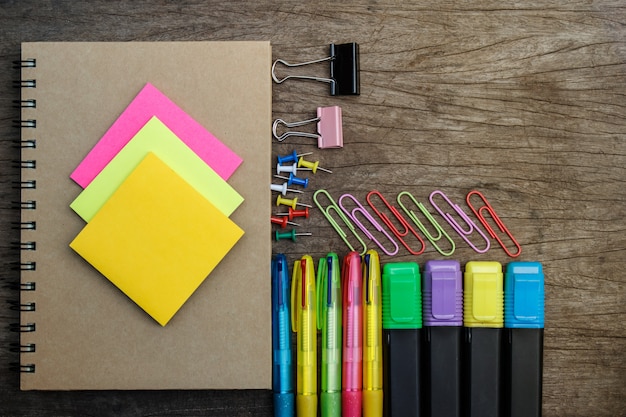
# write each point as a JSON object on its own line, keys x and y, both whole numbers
{"x": 442, "y": 299}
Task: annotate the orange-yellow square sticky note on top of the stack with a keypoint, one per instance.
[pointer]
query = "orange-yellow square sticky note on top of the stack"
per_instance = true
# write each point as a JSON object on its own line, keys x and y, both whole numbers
{"x": 156, "y": 238}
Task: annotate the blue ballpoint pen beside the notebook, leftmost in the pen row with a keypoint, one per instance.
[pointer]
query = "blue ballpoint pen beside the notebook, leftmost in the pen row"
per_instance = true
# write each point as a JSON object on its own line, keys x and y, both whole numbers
{"x": 282, "y": 379}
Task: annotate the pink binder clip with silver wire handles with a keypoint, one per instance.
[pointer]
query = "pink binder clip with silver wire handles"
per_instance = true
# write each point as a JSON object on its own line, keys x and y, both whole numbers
{"x": 329, "y": 128}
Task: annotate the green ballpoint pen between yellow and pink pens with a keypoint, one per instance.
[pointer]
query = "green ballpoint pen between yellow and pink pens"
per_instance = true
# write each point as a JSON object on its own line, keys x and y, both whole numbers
{"x": 329, "y": 322}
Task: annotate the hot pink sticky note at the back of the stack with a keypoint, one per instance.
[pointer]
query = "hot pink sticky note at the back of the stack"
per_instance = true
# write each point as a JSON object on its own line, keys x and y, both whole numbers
{"x": 151, "y": 102}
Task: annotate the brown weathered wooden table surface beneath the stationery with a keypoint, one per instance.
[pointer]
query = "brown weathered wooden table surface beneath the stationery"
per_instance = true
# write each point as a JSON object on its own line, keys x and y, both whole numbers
{"x": 524, "y": 101}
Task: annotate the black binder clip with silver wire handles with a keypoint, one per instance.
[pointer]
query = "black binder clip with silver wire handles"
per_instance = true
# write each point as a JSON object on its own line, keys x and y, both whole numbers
{"x": 344, "y": 77}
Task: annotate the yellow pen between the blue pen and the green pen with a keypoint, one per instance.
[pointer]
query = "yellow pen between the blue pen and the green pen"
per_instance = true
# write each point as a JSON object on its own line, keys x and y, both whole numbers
{"x": 303, "y": 323}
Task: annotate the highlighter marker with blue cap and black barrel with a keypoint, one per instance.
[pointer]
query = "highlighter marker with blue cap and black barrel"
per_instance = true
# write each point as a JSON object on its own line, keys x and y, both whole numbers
{"x": 523, "y": 339}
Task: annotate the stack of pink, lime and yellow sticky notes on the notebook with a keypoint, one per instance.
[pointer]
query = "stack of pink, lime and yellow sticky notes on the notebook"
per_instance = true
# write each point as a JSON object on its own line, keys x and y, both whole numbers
{"x": 157, "y": 204}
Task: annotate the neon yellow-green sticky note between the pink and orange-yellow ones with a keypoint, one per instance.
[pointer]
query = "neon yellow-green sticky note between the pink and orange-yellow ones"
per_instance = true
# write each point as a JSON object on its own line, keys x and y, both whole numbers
{"x": 157, "y": 138}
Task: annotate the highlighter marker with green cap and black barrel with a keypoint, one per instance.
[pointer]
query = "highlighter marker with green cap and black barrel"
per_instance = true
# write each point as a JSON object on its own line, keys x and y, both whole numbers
{"x": 402, "y": 335}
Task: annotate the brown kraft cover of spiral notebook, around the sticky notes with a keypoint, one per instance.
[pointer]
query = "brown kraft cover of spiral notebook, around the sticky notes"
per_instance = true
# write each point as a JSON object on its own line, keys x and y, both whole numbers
{"x": 79, "y": 331}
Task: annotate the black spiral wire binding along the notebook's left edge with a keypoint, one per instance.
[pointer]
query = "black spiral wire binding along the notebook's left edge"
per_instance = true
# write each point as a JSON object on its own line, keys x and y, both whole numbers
{"x": 25, "y": 164}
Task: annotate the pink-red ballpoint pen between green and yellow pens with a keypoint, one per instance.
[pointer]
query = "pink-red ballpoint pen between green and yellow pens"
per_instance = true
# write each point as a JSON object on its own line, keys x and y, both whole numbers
{"x": 352, "y": 369}
